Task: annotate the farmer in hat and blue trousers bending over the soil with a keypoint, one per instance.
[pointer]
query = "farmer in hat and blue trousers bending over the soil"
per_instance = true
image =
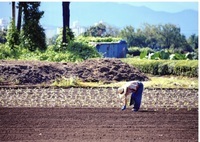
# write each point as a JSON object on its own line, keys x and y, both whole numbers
{"x": 135, "y": 88}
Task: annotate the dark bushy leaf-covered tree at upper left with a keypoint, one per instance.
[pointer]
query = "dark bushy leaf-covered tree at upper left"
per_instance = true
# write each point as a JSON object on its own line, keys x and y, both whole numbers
{"x": 33, "y": 36}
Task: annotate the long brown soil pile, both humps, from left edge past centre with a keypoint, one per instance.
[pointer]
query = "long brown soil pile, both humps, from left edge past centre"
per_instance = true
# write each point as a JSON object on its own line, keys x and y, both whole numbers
{"x": 94, "y": 70}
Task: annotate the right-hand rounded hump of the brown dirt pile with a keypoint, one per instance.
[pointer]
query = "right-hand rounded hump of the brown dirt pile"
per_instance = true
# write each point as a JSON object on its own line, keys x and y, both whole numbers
{"x": 107, "y": 70}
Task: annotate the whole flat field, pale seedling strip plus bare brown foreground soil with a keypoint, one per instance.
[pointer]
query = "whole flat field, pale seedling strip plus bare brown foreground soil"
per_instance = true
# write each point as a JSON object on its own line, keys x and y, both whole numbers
{"x": 94, "y": 114}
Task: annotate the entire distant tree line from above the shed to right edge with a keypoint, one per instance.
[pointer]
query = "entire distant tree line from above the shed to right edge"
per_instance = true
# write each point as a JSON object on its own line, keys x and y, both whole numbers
{"x": 156, "y": 37}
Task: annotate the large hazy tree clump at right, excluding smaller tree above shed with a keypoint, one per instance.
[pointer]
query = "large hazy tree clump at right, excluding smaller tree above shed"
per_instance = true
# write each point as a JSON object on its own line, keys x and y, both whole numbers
{"x": 159, "y": 37}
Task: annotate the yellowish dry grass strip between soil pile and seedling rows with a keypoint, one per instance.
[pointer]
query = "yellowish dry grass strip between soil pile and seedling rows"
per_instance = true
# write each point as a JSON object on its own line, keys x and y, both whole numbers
{"x": 155, "y": 82}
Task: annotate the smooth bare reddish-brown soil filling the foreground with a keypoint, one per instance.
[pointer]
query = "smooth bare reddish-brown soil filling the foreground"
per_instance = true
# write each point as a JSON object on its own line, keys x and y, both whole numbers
{"x": 97, "y": 125}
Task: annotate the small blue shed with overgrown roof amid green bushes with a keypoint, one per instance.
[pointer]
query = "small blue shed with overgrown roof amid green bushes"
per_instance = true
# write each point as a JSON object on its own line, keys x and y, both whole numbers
{"x": 112, "y": 49}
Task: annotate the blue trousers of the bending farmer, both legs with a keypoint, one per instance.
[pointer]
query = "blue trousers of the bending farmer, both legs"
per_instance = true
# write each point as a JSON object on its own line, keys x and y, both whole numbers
{"x": 136, "y": 97}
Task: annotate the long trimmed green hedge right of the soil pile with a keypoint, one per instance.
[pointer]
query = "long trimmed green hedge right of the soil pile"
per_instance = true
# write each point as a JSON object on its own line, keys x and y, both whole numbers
{"x": 165, "y": 67}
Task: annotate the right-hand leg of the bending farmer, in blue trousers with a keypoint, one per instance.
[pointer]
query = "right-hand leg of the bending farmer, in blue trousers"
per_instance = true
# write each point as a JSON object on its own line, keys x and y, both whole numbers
{"x": 138, "y": 97}
